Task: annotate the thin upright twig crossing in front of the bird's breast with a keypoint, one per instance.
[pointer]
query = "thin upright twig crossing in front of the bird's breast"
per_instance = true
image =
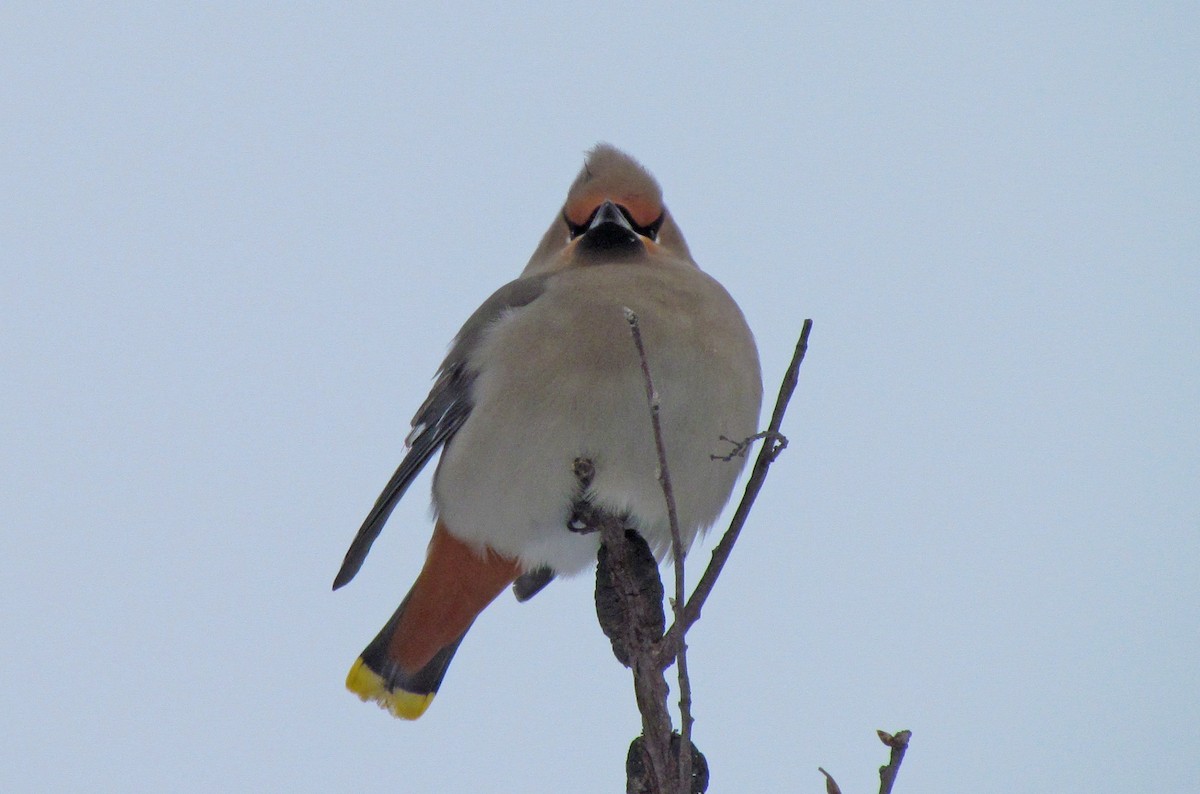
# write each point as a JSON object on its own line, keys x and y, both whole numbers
{"x": 677, "y": 603}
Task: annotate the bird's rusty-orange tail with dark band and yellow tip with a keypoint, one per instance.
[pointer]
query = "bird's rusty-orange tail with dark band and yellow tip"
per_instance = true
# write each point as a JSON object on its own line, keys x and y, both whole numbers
{"x": 404, "y": 666}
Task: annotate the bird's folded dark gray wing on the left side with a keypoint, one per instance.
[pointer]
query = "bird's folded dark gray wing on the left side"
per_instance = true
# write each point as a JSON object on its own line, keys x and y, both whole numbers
{"x": 441, "y": 417}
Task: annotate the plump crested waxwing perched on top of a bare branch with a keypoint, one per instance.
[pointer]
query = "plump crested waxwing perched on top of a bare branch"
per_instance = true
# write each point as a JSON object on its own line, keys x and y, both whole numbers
{"x": 542, "y": 376}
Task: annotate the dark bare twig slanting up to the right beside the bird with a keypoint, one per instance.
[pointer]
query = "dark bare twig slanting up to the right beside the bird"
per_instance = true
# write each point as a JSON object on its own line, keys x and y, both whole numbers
{"x": 767, "y": 455}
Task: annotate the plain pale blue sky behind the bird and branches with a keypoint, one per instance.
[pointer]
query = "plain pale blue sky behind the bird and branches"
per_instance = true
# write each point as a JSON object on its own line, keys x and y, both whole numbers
{"x": 236, "y": 239}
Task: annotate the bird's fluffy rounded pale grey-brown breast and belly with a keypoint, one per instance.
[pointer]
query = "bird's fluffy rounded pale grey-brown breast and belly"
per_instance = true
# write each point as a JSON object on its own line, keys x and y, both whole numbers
{"x": 561, "y": 380}
